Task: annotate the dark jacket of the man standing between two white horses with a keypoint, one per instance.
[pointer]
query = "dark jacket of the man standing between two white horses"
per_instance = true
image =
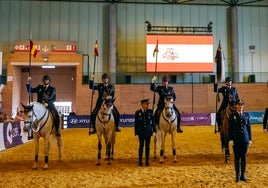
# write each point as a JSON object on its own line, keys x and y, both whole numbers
{"x": 144, "y": 123}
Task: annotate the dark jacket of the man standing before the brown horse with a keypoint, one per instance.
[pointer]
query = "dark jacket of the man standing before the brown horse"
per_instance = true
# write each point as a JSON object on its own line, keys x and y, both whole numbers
{"x": 240, "y": 128}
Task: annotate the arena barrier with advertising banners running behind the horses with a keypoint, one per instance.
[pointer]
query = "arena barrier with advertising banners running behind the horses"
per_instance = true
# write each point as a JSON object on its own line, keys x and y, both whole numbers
{"x": 12, "y": 134}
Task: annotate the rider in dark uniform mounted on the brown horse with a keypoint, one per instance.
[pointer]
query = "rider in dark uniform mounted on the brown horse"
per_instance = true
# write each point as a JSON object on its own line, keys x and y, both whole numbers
{"x": 229, "y": 93}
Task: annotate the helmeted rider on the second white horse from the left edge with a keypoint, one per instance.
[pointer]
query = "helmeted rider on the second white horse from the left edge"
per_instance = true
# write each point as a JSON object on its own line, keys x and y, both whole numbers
{"x": 104, "y": 89}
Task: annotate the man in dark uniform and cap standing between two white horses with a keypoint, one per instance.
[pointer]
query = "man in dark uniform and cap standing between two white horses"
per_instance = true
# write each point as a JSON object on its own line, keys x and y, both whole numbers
{"x": 144, "y": 129}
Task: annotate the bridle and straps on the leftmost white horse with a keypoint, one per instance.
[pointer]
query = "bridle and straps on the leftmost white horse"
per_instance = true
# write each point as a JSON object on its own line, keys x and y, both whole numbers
{"x": 37, "y": 121}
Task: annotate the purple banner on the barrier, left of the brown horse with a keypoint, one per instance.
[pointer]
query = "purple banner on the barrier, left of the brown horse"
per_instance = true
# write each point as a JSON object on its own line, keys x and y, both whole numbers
{"x": 196, "y": 119}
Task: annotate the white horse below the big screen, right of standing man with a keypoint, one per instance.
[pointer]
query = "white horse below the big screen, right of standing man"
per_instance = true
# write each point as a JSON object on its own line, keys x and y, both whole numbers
{"x": 167, "y": 124}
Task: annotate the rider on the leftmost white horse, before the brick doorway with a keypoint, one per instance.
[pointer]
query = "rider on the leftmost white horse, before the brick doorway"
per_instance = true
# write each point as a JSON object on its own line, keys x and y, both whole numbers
{"x": 46, "y": 95}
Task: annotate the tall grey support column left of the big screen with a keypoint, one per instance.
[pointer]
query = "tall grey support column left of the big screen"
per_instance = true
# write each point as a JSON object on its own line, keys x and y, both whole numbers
{"x": 112, "y": 41}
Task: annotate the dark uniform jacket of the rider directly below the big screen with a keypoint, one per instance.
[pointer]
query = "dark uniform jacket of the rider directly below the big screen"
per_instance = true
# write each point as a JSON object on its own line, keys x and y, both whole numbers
{"x": 162, "y": 92}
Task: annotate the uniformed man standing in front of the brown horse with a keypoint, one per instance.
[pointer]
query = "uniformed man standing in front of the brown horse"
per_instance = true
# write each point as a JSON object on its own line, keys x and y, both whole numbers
{"x": 240, "y": 134}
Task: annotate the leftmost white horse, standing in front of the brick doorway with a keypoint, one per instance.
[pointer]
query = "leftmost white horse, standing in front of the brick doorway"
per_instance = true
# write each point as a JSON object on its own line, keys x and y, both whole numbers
{"x": 41, "y": 121}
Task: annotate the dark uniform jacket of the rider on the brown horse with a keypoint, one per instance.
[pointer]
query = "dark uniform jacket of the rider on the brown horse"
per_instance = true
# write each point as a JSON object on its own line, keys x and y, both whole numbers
{"x": 228, "y": 94}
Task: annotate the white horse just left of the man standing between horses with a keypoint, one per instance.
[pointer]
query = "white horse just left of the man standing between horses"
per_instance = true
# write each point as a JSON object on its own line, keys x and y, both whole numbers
{"x": 105, "y": 127}
